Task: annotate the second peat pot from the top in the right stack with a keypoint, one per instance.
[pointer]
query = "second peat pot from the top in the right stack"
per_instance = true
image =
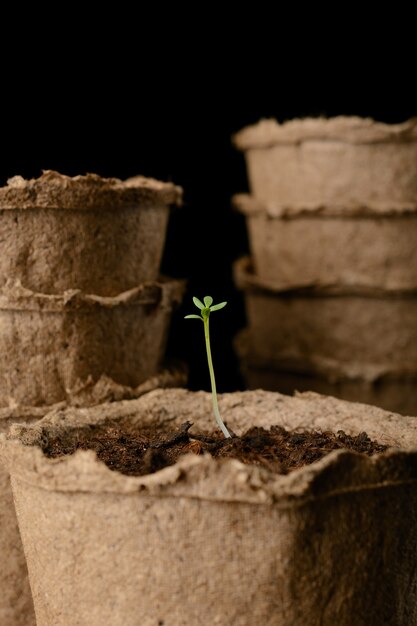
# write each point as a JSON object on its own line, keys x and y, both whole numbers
{"x": 325, "y": 247}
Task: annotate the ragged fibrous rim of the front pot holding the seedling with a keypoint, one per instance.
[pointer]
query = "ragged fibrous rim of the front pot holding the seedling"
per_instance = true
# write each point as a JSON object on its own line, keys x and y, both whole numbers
{"x": 340, "y": 472}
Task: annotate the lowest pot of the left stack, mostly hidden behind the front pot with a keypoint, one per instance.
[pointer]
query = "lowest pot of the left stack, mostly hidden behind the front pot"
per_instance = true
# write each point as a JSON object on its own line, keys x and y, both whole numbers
{"x": 16, "y": 606}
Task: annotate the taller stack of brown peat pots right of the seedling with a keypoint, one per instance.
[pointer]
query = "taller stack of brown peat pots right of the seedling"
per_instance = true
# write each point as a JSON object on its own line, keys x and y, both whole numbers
{"x": 331, "y": 288}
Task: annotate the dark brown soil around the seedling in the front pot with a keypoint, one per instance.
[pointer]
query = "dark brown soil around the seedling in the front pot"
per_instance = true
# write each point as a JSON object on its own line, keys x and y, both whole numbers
{"x": 137, "y": 453}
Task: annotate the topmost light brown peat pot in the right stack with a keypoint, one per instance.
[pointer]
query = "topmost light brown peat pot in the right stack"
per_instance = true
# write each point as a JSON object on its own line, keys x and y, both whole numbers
{"x": 342, "y": 162}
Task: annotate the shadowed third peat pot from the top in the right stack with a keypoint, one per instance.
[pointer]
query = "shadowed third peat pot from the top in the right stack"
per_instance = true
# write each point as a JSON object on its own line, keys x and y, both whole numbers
{"x": 368, "y": 332}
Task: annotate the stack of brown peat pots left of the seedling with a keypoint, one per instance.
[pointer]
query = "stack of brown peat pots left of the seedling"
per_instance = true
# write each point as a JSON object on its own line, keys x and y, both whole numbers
{"x": 84, "y": 315}
